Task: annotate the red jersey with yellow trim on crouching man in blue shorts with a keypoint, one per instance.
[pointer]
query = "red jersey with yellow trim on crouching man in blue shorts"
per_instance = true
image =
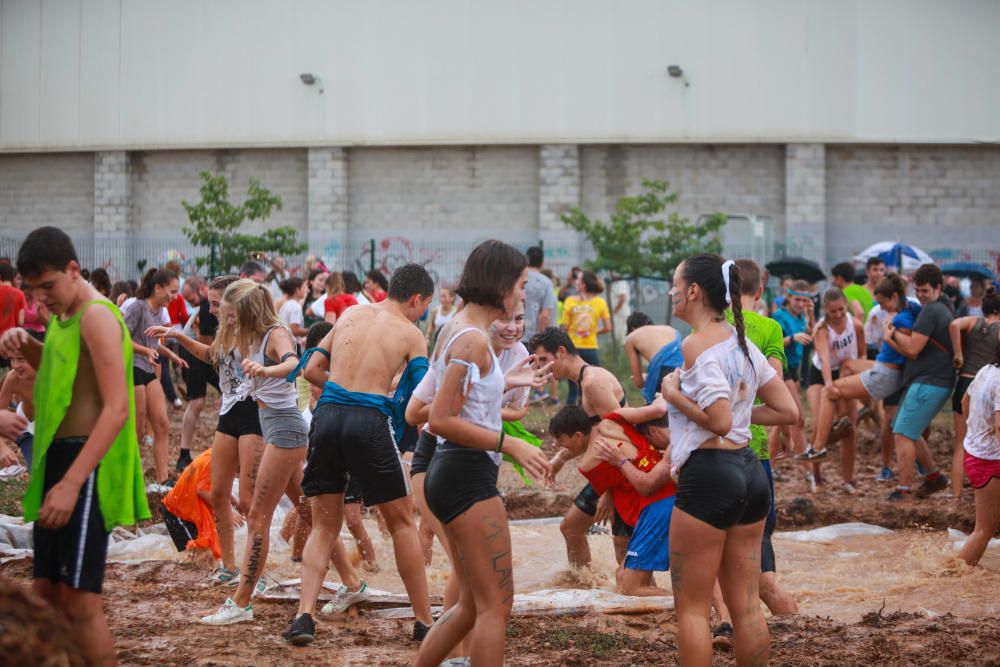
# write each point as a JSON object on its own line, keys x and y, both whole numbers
{"x": 629, "y": 503}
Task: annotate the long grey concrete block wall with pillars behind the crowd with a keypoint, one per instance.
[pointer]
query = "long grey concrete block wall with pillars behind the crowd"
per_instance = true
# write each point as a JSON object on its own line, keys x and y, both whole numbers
{"x": 429, "y": 204}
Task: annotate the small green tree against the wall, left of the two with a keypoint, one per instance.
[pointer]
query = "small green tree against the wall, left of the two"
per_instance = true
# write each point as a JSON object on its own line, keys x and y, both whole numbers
{"x": 215, "y": 223}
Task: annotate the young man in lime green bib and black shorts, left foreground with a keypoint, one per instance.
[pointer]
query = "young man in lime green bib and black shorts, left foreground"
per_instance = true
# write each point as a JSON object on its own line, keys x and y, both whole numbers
{"x": 88, "y": 472}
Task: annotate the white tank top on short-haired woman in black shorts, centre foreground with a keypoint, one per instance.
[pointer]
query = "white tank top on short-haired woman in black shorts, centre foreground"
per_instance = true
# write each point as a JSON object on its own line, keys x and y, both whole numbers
{"x": 483, "y": 394}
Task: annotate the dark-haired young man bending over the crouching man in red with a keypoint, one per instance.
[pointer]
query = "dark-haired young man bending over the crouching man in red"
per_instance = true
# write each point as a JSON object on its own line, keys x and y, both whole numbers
{"x": 602, "y": 393}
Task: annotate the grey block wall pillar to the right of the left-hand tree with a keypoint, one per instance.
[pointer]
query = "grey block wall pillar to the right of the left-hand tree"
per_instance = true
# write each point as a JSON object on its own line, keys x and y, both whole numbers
{"x": 328, "y": 216}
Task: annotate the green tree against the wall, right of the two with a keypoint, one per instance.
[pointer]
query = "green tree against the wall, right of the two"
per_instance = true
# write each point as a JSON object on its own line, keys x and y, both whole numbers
{"x": 641, "y": 238}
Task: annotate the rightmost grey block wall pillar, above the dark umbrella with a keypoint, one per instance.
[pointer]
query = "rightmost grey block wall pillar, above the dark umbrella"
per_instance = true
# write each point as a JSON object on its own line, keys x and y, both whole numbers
{"x": 805, "y": 202}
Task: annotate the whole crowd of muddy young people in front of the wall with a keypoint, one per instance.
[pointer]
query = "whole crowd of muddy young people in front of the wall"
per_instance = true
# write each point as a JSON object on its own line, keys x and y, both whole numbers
{"x": 332, "y": 396}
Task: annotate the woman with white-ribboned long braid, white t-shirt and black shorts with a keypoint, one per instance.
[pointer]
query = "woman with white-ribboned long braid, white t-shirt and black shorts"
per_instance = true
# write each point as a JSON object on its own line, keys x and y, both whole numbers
{"x": 722, "y": 491}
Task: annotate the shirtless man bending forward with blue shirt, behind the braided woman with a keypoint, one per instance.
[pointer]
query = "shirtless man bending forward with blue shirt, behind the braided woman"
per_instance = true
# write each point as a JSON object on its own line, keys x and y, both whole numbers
{"x": 659, "y": 345}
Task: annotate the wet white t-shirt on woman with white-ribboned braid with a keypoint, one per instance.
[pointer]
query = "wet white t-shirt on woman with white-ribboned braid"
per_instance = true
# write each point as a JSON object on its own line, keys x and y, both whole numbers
{"x": 721, "y": 371}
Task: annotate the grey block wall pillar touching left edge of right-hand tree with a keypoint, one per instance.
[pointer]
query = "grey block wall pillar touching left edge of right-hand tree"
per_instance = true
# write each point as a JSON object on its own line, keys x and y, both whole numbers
{"x": 558, "y": 192}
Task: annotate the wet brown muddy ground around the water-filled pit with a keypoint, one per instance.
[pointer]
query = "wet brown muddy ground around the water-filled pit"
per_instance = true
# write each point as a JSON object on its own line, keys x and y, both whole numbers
{"x": 150, "y": 605}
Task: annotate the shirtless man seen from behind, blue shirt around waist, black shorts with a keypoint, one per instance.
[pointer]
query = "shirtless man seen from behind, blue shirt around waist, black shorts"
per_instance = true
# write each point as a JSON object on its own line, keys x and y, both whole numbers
{"x": 353, "y": 431}
